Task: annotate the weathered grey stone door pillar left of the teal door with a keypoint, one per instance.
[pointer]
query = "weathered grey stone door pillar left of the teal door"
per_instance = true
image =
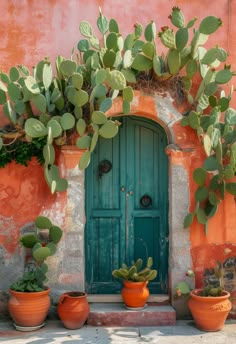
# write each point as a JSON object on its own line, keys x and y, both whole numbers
{"x": 70, "y": 274}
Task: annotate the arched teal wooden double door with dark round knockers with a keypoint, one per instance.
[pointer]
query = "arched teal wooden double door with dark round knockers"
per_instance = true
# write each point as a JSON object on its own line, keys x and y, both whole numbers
{"x": 127, "y": 205}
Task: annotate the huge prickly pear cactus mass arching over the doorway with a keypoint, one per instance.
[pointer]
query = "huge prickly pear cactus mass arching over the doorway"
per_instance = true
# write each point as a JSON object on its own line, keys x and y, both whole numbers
{"x": 50, "y": 108}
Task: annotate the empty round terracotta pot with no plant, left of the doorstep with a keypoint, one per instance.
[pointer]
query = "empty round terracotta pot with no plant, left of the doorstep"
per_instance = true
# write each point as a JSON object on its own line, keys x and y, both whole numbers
{"x": 73, "y": 309}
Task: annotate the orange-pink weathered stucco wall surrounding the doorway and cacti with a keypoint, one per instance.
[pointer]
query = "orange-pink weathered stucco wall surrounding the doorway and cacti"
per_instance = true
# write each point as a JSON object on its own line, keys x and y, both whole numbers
{"x": 32, "y": 29}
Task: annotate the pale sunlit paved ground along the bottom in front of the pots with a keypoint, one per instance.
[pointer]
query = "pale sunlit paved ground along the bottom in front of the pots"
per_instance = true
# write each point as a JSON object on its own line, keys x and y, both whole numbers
{"x": 183, "y": 333}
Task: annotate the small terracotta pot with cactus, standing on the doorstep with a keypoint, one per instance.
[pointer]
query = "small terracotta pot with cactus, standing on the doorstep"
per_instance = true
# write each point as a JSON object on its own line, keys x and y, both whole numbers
{"x": 135, "y": 279}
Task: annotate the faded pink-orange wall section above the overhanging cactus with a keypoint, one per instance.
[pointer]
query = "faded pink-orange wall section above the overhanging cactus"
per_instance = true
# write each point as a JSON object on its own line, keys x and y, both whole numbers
{"x": 31, "y": 29}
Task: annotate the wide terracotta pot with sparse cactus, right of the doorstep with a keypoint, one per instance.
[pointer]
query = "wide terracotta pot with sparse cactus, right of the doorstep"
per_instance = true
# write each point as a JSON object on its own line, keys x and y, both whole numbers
{"x": 209, "y": 305}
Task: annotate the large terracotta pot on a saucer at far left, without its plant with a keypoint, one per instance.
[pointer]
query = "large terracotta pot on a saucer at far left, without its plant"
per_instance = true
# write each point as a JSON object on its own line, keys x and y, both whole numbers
{"x": 29, "y": 309}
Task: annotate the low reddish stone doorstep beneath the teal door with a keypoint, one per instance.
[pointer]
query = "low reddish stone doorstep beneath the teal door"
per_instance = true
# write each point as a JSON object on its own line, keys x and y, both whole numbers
{"x": 115, "y": 314}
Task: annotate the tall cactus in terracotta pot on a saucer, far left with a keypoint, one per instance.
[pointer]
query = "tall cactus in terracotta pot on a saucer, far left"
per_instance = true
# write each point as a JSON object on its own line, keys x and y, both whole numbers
{"x": 29, "y": 297}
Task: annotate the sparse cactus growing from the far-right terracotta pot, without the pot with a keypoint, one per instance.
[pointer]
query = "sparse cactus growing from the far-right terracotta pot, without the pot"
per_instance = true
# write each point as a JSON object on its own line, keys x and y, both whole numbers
{"x": 183, "y": 288}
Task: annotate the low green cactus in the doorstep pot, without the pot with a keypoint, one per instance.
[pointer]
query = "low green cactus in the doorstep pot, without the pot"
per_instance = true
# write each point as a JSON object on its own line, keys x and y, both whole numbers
{"x": 135, "y": 272}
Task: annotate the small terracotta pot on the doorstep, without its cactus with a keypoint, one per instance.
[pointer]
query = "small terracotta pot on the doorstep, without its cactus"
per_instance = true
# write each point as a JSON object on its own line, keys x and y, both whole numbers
{"x": 135, "y": 294}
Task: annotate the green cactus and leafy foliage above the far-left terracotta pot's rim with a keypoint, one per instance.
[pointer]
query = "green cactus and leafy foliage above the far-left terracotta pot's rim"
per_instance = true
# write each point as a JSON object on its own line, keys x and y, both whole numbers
{"x": 43, "y": 244}
